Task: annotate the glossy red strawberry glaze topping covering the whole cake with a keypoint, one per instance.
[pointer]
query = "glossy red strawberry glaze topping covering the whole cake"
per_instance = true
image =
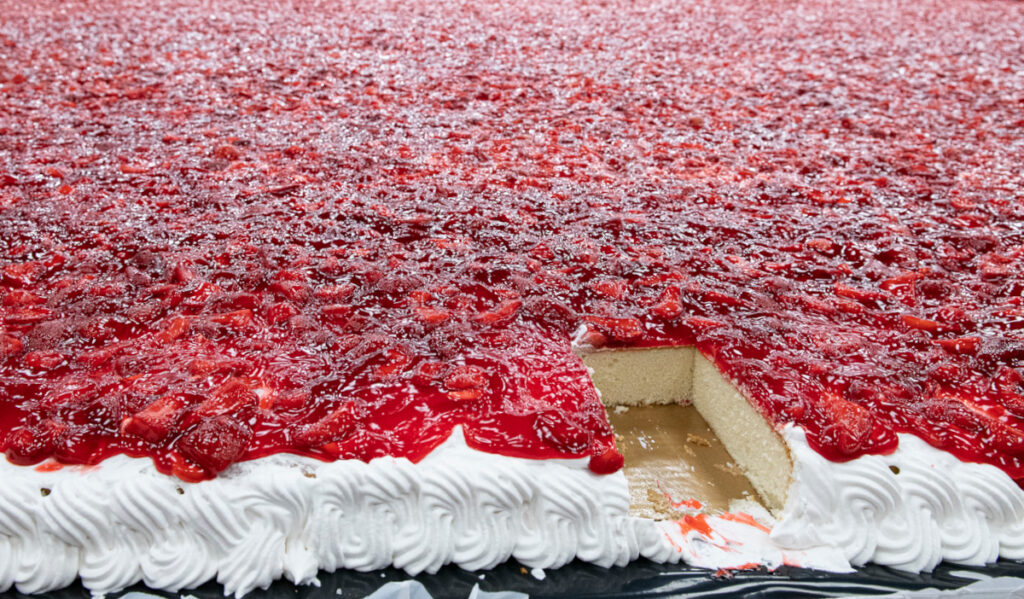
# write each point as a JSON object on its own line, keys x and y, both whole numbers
{"x": 343, "y": 231}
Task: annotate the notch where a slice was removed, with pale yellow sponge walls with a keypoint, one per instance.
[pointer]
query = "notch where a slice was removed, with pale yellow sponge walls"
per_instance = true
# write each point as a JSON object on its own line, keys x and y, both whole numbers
{"x": 684, "y": 376}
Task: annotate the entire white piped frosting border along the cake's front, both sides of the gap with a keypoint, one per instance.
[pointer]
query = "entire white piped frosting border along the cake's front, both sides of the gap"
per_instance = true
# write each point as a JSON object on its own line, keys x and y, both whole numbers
{"x": 288, "y": 517}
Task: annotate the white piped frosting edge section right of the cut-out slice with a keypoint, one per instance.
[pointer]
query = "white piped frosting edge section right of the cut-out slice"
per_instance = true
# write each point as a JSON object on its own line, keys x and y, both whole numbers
{"x": 909, "y": 510}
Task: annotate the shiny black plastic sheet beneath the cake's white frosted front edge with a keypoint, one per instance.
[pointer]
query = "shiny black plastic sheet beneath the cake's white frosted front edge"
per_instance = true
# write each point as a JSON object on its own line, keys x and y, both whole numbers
{"x": 639, "y": 580}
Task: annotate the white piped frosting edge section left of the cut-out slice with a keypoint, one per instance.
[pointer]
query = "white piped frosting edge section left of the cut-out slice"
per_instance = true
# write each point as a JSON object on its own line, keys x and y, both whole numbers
{"x": 290, "y": 517}
